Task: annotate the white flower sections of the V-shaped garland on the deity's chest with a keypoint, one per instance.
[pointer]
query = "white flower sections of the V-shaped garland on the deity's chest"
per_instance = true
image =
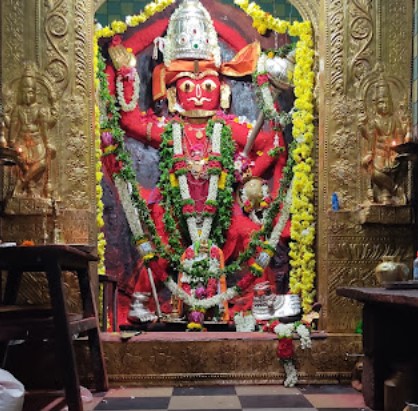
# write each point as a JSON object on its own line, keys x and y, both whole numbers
{"x": 204, "y": 233}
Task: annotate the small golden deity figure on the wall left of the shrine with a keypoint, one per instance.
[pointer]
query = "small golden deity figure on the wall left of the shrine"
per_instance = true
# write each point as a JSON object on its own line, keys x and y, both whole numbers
{"x": 28, "y": 134}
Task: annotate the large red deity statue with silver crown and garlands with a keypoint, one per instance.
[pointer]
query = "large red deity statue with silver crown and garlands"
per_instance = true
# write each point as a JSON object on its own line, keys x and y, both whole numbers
{"x": 202, "y": 160}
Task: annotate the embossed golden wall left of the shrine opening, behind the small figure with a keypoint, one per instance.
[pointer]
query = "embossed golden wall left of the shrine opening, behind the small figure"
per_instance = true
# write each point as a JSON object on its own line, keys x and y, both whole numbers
{"x": 55, "y": 36}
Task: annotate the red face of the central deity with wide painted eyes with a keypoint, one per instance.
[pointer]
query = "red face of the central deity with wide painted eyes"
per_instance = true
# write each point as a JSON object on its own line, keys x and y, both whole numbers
{"x": 199, "y": 94}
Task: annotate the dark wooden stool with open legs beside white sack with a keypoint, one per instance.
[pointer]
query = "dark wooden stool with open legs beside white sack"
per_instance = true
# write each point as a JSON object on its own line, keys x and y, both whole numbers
{"x": 54, "y": 322}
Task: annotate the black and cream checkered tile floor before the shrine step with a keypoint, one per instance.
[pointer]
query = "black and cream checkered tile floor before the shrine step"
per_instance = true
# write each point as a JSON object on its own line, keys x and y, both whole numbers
{"x": 231, "y": 398}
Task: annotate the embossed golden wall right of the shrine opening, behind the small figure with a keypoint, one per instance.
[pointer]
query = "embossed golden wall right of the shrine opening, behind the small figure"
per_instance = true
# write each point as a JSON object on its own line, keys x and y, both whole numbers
{"x": 358, "y": 34}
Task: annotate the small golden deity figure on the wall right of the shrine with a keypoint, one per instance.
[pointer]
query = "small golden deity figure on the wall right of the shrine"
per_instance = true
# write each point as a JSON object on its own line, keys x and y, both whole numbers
{"x": 384, "y": 132}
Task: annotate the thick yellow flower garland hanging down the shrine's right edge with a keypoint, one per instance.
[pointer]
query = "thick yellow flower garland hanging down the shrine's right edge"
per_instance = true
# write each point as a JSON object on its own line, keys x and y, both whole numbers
{"x": 302, "y": 254}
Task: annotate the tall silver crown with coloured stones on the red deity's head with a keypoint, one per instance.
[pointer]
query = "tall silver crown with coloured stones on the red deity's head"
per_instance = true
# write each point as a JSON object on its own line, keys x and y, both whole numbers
{"x": 190, "y": 35}
